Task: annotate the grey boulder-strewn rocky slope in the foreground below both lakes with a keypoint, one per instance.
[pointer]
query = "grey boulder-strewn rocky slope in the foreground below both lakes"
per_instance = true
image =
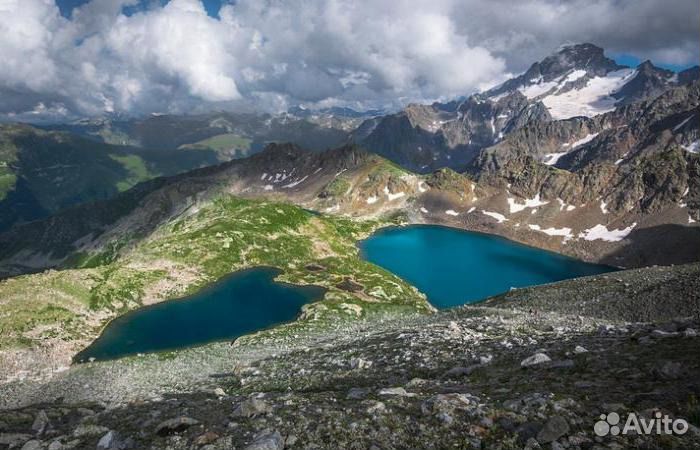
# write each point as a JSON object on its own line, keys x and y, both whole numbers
{"x": 533, "y": 369}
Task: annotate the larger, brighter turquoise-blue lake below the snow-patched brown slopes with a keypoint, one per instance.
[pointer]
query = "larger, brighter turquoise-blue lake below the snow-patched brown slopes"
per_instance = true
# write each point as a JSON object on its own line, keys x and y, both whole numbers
{"x": 453, "y": 267}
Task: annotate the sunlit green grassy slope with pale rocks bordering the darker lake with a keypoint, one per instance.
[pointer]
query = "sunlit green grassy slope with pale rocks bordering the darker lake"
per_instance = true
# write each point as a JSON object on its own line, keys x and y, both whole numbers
{"x": 191, "y": 251}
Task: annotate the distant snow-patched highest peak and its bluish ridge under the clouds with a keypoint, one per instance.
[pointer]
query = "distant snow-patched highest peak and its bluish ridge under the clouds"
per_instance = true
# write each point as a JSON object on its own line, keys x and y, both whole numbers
{"x": 577, "y": 81}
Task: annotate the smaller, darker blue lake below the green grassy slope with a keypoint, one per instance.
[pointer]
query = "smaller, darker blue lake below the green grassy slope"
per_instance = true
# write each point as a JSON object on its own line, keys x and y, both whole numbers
{"x": 247, "y": 301}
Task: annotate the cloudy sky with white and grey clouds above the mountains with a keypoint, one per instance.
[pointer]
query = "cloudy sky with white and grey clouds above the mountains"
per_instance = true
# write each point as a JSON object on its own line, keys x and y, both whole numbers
{"x": 67, "y": 59}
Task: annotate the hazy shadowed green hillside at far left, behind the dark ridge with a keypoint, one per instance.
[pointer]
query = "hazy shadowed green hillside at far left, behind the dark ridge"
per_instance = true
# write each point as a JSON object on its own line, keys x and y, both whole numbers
{"x": 43, "y": 172}
